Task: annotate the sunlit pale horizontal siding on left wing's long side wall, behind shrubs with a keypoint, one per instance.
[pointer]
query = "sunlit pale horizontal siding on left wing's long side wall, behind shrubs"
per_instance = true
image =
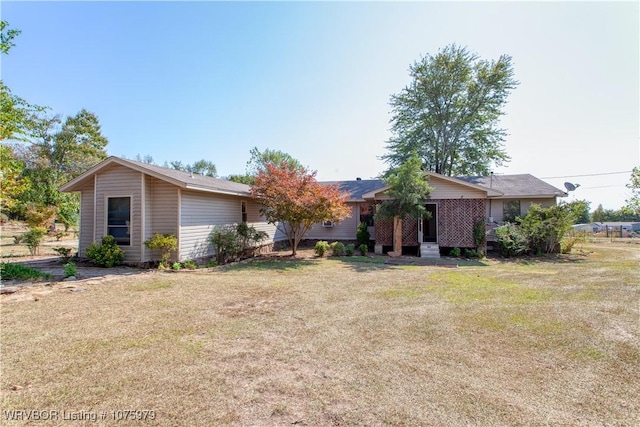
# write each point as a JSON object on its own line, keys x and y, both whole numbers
{"x": 199, "y": 214}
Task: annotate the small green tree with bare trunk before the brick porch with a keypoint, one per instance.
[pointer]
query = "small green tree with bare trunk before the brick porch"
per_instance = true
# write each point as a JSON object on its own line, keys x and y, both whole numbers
{"x": 408, "y": 189}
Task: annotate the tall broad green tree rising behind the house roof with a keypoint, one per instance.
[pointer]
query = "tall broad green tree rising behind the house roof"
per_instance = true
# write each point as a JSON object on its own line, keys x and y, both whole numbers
{"x": 449, "y": 114}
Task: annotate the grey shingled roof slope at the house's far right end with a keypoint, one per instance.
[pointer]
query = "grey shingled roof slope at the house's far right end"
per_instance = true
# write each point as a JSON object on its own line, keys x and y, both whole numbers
{"x": 522, "y": 185}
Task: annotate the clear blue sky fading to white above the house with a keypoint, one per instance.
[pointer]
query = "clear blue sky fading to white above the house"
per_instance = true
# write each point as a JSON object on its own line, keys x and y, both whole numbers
{"x": 186, "y": 81}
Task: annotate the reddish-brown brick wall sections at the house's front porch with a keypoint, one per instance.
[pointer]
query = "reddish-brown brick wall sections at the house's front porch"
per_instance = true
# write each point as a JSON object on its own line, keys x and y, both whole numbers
{"x": 455, "y": 224}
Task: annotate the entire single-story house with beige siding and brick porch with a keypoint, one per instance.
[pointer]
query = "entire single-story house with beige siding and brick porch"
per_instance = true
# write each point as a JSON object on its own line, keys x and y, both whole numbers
{"x": 131, "y": 201}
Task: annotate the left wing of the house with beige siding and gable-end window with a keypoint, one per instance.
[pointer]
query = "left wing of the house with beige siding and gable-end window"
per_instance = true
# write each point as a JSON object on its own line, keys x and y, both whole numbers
{"x": 132, "y": 200}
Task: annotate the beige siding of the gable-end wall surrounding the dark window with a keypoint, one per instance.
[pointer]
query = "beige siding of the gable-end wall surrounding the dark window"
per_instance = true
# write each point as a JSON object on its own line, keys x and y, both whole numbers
{"x": 119, "y": 181}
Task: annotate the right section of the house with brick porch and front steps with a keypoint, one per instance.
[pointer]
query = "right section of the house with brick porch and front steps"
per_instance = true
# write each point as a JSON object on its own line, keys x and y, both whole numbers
{"x": 455, "y": 204}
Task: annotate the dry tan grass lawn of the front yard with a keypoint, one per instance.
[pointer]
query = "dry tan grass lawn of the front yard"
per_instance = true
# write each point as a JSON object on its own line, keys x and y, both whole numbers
{"x": 337, "y": 342}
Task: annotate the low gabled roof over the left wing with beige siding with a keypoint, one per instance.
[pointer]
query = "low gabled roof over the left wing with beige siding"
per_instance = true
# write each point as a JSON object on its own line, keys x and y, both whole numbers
{"x": 184, "y": 180}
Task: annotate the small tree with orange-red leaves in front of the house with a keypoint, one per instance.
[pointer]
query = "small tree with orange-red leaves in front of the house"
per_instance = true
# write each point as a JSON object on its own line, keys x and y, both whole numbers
{"x": 293, "y": 200}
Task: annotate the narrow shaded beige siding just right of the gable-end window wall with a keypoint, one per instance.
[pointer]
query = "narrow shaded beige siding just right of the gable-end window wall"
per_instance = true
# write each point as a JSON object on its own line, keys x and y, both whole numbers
{"x": 161, "y": 216}
